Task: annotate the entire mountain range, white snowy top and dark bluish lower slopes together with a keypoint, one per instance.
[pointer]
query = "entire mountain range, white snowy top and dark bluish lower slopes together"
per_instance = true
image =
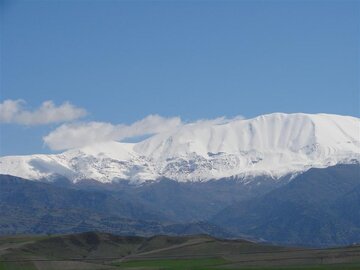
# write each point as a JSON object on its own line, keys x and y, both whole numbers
{"x": 283, "y": 178}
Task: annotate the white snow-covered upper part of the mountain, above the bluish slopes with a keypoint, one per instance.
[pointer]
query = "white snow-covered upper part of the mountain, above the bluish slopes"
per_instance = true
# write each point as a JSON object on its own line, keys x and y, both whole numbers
{"x": 273, "y": 145}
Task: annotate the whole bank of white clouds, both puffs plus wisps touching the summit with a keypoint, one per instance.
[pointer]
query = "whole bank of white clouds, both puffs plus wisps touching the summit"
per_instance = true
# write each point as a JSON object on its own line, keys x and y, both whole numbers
{"x": 72, "y": 134}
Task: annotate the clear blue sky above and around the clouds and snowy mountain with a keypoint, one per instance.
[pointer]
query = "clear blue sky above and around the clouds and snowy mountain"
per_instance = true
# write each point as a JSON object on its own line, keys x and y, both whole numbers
{"x": 122, "y": 61}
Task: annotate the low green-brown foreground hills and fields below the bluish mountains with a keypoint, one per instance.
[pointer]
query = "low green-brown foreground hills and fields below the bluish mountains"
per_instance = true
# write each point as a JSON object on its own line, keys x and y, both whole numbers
{"x": 96, "y": 251}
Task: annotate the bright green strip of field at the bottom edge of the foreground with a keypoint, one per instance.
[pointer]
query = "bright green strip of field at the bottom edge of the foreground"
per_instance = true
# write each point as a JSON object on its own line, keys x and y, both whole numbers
{"x": 173, "y": 264}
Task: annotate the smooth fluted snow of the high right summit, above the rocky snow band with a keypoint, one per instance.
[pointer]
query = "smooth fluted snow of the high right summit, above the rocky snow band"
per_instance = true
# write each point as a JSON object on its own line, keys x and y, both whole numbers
{"x": 272, "y": 132}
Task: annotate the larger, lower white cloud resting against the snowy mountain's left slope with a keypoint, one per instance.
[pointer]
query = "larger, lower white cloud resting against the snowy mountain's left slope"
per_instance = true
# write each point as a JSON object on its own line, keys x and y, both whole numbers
{"x": 75, "y": 135}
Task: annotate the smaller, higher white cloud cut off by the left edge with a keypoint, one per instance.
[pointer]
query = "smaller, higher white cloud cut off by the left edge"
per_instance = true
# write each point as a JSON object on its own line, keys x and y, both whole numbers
{"x": 13, "y": 111}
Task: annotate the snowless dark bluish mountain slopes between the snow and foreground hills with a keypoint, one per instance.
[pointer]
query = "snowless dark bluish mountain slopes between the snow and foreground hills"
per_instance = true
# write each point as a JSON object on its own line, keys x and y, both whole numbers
{"x": 319, "y": 207}
